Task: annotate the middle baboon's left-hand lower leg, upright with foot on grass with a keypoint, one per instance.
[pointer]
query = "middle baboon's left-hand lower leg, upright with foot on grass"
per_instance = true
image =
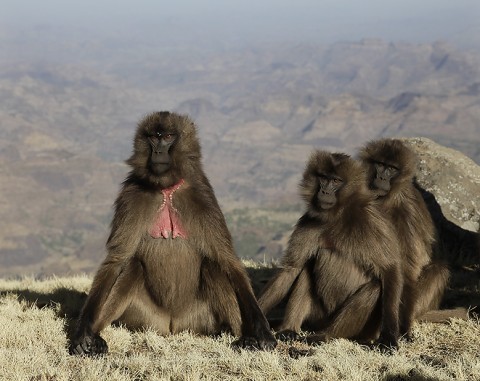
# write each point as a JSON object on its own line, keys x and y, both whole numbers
{"x": 300, "y": 306}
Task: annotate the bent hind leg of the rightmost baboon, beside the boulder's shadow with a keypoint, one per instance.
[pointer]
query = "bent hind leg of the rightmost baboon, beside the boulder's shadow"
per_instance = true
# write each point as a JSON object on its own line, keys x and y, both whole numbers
{"x": 431, "y": 285}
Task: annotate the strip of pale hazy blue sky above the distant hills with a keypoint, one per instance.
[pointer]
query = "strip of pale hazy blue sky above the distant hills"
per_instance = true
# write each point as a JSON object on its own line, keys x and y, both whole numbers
{"x": 247, "y": 20}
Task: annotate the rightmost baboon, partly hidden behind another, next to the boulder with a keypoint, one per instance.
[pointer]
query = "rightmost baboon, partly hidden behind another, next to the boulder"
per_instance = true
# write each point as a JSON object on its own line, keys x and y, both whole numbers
{"x": 391, "y": 169}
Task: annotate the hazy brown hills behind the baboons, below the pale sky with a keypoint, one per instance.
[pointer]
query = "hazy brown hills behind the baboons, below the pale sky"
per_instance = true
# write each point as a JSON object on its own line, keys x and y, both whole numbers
{"x": 67, "y": 126}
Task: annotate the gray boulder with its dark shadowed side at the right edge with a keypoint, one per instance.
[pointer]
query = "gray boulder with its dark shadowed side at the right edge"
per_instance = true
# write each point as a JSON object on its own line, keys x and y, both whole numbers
{"x": 450, "y": 184}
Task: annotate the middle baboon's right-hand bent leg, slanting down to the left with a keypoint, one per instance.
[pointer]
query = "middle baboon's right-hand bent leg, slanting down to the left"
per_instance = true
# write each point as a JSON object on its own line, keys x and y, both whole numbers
{"x": 358, "y": 317}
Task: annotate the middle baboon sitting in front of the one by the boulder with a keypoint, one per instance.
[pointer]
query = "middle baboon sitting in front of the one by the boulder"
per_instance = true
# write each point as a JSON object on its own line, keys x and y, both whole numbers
{"x": 341, "y": 269}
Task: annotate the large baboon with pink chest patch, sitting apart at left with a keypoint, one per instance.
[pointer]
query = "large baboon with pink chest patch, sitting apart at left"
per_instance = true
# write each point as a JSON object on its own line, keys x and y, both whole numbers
{"x": 170, "y": 263}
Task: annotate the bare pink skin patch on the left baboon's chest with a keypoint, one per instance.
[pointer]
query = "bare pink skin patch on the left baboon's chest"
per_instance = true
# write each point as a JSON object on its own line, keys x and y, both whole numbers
{"x": 167, "y": 220}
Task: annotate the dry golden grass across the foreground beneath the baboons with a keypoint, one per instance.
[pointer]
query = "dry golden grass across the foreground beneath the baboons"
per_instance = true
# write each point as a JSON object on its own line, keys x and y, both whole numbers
{"x": 35, "y": 318}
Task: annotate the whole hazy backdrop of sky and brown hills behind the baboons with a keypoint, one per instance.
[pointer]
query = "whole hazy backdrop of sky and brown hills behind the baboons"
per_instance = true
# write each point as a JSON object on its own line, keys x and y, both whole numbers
{"x": 266, "y": 83}
